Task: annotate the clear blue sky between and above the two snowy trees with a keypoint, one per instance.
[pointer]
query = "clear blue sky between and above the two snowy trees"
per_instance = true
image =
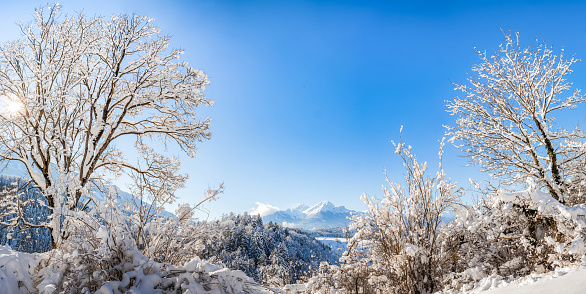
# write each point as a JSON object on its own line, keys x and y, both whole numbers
{"x": 309, "y": 94}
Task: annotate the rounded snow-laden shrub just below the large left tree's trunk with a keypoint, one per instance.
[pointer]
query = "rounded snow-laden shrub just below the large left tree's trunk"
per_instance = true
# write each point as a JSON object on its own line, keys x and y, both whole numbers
{"x": 91, "y": 249}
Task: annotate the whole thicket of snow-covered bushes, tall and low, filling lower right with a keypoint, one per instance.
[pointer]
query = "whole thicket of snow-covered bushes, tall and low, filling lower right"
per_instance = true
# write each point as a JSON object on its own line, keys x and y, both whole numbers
{"x": 403, "y": 246}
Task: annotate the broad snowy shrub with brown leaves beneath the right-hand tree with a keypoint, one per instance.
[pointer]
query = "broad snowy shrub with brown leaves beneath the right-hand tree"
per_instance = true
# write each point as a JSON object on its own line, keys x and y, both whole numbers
{"x": 515, "y": 234}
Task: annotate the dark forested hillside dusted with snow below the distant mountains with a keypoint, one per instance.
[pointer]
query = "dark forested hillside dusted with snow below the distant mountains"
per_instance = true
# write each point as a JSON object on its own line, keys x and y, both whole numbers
{"x": 269, "y": 253}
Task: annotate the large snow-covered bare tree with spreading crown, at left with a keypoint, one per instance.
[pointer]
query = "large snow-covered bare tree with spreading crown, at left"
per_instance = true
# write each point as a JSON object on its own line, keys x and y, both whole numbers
{"x": 73, "y": 87}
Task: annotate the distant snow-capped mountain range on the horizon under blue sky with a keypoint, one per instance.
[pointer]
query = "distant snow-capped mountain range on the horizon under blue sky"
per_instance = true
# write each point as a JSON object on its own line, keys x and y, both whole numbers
{"x": 320, "y": 216}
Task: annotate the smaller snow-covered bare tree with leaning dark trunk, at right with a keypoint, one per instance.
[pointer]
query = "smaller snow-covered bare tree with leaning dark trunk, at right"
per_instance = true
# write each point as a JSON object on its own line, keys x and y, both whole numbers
{"x": 506, "y": 119}
